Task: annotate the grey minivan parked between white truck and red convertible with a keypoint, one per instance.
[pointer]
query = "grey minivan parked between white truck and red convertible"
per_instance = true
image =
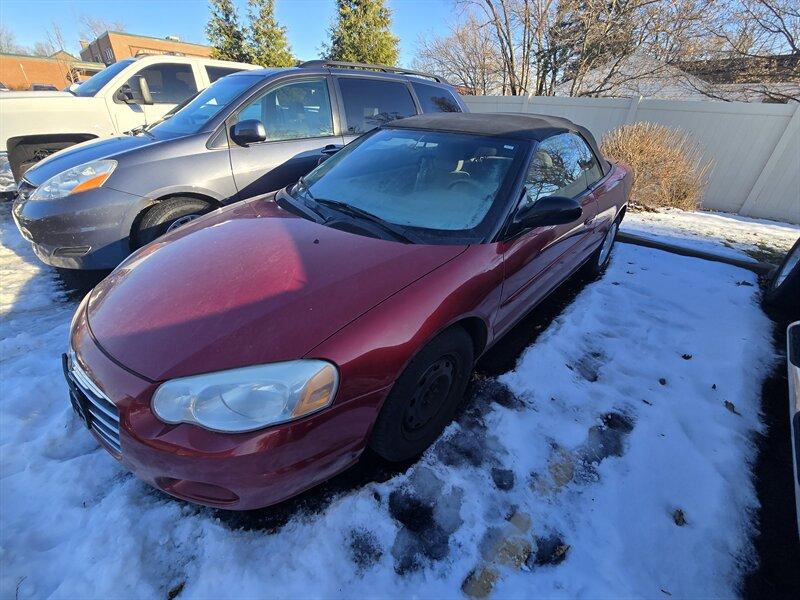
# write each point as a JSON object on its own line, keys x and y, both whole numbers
{"x": 89, "y": 206}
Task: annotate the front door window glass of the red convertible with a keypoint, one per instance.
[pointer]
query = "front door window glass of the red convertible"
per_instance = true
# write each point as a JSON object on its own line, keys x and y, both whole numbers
{"x": 555, "y": 169}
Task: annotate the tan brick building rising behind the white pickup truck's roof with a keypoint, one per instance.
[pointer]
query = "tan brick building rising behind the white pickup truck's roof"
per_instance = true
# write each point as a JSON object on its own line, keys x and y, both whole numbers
{"x": 112, "y": 46}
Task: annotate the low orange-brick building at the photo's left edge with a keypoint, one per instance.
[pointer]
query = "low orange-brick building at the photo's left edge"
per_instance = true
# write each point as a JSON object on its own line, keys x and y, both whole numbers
{"x": 22, "y": 71}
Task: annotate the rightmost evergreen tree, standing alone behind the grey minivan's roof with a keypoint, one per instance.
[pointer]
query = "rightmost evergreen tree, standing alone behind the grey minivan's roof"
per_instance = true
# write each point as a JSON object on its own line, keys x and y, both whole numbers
{"x": 362, "y": 33}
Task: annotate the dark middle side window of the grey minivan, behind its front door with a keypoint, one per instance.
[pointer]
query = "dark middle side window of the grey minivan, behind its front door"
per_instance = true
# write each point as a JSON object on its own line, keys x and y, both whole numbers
{"x": 368, "y": 103}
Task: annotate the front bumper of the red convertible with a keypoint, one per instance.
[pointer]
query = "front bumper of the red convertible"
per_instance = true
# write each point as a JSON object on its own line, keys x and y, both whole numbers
{"x": 232, "y": 471}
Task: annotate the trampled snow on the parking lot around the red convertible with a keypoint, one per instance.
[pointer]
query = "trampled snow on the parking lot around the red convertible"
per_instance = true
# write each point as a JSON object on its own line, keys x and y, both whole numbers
{"x": 565, "y": 477}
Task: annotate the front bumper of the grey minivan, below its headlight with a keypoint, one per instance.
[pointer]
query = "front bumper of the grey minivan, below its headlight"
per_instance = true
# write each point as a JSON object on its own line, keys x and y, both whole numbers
{"x": 89, "y": 230}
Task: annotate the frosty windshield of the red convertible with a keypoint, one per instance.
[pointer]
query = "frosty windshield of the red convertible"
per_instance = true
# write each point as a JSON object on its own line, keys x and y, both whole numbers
{"x": 445, "y": 186}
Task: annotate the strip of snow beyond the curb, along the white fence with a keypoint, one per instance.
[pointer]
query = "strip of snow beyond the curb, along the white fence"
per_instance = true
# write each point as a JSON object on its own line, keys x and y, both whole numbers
{"x": 721, "y": 233}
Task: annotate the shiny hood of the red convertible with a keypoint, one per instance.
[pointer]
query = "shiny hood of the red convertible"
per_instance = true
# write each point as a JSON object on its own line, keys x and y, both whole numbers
{"x": 249, "y": 284}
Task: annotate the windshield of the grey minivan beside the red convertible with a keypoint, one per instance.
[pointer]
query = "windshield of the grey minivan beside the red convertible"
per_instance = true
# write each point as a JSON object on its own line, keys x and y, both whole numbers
{"x": 207, "y": 105}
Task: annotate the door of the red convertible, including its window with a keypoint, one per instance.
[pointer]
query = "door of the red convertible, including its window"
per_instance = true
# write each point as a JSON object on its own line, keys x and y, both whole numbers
{"x": 538, "y": 260}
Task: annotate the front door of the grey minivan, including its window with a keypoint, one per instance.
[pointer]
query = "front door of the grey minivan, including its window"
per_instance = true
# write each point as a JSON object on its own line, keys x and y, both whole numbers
{"x": 298, "y": 118}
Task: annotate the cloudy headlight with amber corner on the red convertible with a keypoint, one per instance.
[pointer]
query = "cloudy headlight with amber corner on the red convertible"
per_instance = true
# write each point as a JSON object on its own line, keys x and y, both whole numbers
{"x": 250, "y": 398}
